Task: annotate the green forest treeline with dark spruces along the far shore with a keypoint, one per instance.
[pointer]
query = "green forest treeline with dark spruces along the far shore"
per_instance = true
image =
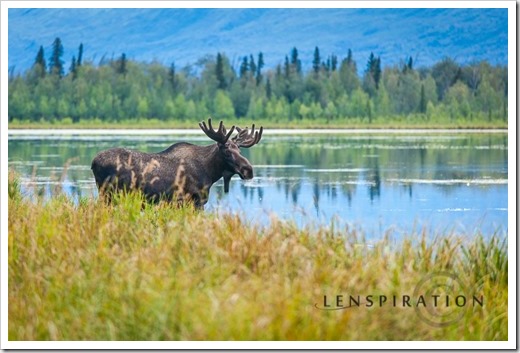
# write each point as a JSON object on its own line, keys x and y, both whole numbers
{"x": 331, "y": 90}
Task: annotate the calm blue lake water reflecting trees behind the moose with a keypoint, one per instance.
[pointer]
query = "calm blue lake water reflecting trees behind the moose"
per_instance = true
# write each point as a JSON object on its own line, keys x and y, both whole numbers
{"x": 374, "y": 182}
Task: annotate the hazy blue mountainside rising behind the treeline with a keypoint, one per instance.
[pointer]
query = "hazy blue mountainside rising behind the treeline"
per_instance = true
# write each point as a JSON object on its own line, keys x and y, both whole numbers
{"x": 186, "y": 35}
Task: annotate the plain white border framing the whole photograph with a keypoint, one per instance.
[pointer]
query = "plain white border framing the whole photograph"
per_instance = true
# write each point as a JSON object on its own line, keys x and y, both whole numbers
{"x": 318, "y": 345}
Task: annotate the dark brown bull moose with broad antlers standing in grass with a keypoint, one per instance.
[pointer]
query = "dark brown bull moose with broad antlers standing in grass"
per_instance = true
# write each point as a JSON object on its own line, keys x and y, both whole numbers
{"x": 183, "y": 172}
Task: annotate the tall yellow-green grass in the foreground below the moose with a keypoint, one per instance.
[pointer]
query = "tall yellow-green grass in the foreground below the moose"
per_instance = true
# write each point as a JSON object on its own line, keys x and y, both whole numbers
{"x": 91, "y": 271}
